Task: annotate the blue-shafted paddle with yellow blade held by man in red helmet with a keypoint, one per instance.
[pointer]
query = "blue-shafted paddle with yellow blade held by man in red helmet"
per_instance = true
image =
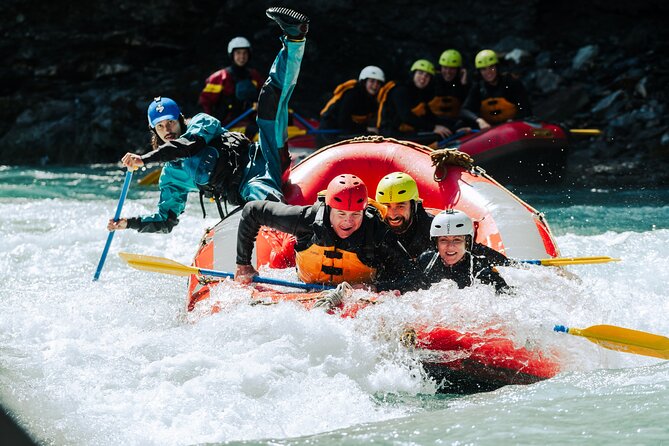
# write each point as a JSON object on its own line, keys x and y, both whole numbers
{"x": 167, "y": 266}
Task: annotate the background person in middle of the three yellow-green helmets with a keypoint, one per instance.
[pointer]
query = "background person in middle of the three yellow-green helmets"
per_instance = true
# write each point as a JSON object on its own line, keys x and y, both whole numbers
{"x": 451, "y": 87}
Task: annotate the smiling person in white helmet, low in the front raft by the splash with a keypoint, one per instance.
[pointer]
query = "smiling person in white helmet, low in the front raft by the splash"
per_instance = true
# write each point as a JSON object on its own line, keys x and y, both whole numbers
{"x": 457, "y": 257}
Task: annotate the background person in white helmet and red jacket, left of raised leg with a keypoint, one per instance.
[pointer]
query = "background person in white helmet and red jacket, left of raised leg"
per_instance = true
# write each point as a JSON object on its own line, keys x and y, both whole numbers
{"x": 232, "y": 90}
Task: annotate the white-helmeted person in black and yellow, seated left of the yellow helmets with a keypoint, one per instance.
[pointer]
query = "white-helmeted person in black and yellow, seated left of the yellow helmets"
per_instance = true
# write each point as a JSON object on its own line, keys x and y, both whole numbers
{"x": 353, "y": 107}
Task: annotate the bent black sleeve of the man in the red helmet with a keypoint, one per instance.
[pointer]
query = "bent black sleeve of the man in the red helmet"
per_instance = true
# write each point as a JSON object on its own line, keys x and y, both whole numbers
{"x": 294, "y": 220}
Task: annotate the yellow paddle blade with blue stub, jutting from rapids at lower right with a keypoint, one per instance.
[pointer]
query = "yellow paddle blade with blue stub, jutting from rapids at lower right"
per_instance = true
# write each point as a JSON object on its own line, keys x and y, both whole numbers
{"x": 622, "y": 339}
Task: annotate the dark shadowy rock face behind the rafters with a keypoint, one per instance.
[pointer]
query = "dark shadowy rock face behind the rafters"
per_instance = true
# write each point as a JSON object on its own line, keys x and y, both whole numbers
{"x": 77, "y": 76}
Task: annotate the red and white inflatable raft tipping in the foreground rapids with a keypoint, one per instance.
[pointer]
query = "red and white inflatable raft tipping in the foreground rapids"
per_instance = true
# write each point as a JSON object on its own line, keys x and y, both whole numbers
{"x": 463, "y": 362}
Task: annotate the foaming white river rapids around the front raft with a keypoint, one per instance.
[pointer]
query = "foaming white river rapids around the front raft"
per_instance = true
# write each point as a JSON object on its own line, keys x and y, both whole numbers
{"x": 120, "y": 361}
